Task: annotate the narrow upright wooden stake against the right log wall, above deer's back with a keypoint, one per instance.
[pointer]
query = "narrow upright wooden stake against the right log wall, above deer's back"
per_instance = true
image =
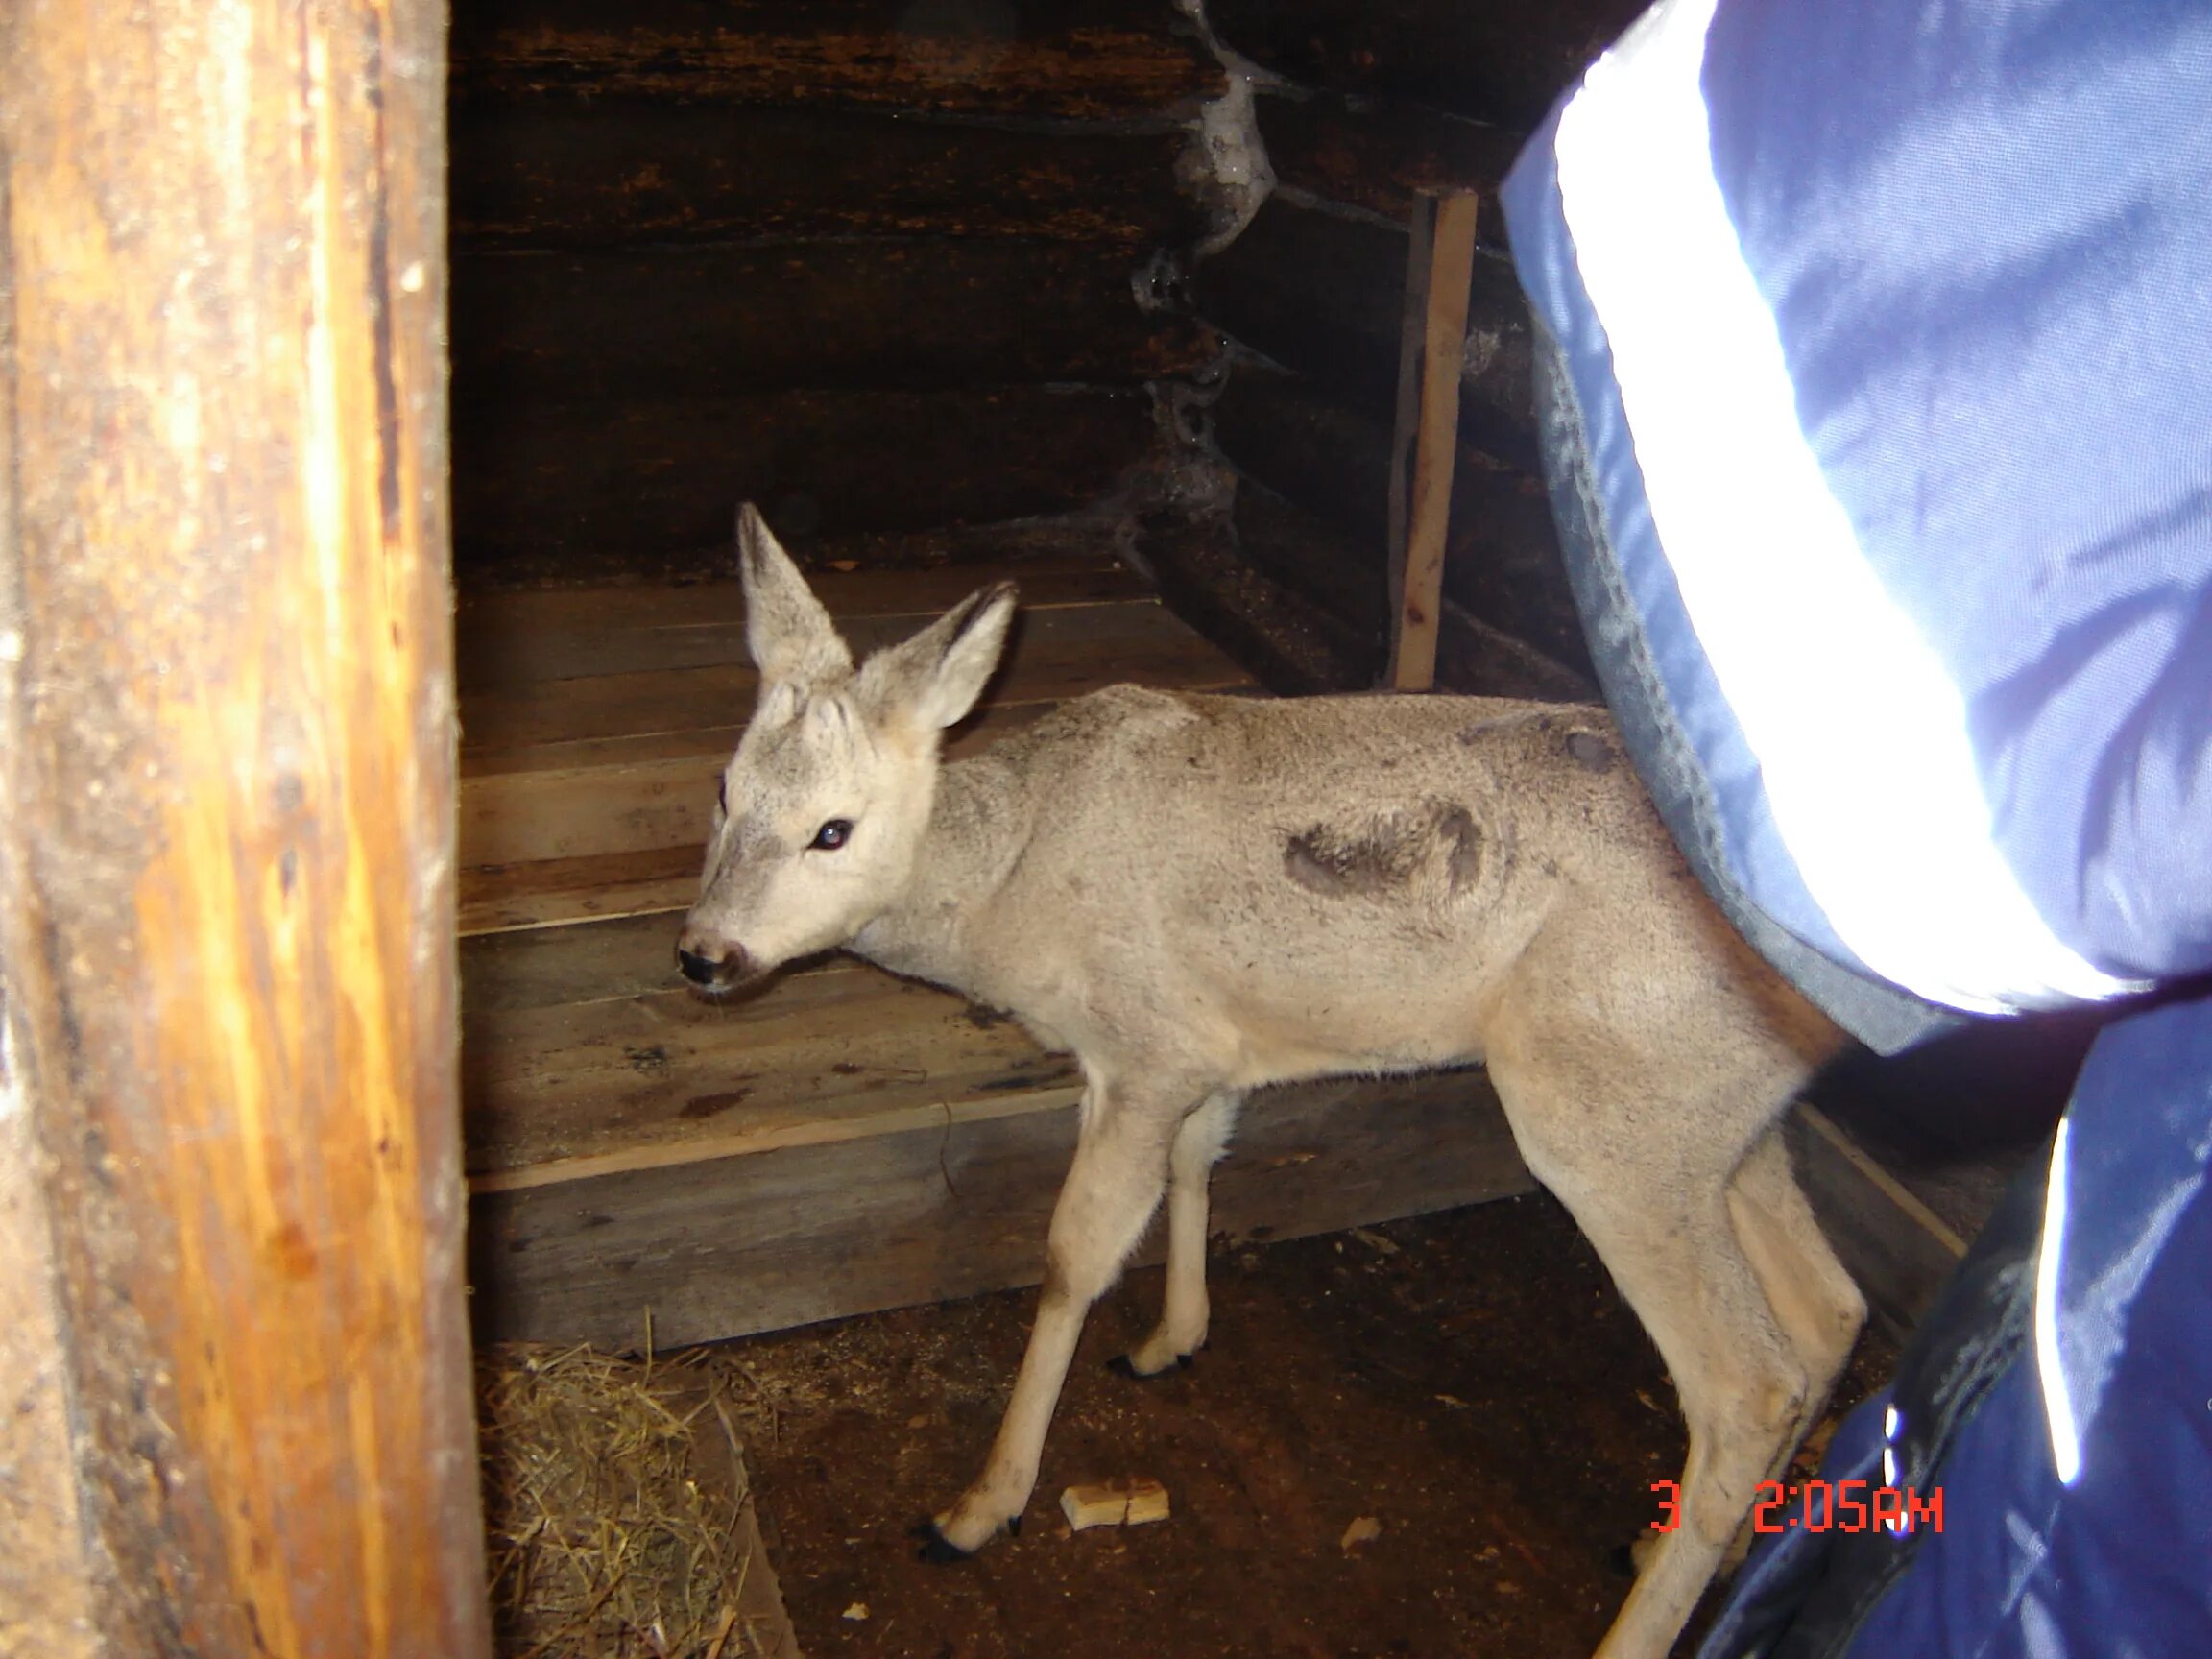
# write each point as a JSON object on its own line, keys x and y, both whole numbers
{"x": 1452, "y": 262}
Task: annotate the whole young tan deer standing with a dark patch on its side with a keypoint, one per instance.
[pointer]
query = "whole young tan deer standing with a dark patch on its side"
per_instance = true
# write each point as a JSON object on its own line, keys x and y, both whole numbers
{"x": 1209, "y": 895}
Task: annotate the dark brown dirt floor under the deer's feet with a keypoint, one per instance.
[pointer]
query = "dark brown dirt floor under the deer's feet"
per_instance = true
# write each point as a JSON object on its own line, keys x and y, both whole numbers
{"x": 1468, "y": 1381}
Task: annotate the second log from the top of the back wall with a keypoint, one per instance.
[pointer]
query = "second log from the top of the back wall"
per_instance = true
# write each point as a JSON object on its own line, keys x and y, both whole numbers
{"x": 592, "y": 171}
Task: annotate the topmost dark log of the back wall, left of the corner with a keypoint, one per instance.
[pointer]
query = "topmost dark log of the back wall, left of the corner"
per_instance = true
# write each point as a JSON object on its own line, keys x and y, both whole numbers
{"x": 1076, "y": 59}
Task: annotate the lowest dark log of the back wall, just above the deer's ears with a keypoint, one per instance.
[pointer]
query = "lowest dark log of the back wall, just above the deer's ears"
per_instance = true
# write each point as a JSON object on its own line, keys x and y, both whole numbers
{"x": 651, "y": 477}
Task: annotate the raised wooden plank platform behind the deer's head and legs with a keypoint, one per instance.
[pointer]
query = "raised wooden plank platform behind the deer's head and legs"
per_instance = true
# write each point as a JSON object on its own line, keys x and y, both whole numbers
{"x": 848, "y": 1140}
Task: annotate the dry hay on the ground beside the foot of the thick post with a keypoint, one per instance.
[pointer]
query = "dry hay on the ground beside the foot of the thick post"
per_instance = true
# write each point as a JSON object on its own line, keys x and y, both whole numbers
{"x": 616, "y": 1510}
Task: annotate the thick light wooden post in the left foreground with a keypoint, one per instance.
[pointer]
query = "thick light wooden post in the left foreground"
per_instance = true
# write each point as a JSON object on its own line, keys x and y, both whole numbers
{"x": 227, "y": 815}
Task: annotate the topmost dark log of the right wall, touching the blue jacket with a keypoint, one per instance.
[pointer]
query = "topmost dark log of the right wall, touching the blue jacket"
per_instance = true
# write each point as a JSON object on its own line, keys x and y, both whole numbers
{"x": 1492, "y": 63}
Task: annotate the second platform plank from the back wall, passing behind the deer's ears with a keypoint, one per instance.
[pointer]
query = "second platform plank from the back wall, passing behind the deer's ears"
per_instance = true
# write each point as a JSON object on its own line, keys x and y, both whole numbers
{"x": 1061, "y": 654}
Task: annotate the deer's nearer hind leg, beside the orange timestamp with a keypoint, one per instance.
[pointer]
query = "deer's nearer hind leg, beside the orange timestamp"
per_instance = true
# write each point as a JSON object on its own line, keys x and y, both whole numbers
{"x": 1649, "y": 1185}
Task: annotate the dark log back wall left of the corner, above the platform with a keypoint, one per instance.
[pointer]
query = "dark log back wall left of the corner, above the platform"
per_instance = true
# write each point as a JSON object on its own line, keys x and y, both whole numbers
{"x": 870, "y": 264}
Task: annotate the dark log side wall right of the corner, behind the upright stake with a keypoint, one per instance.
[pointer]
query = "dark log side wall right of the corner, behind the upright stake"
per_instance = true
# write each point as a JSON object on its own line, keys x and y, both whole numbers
{"x": 1361, "y": 112}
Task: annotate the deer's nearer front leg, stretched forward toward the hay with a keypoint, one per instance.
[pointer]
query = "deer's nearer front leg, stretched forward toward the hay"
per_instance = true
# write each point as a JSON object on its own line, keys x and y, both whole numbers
{"x": 1109, "y": 1198}
